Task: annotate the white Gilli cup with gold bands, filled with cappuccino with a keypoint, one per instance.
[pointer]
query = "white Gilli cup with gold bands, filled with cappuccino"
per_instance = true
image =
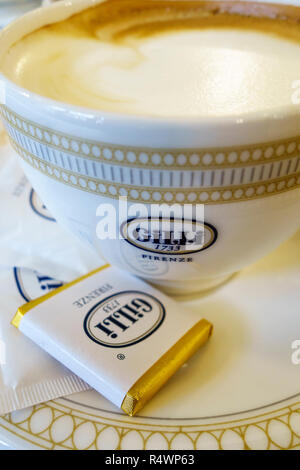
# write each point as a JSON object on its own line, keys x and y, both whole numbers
{"x": 165, "y": 134}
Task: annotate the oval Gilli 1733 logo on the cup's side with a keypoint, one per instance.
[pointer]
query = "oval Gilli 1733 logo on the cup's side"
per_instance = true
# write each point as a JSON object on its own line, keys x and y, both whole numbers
{"x": 169, "y": 236}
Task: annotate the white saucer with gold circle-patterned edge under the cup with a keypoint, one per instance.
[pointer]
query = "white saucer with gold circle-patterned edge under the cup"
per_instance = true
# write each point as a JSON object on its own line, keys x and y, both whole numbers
{"x": 241, "y": 391}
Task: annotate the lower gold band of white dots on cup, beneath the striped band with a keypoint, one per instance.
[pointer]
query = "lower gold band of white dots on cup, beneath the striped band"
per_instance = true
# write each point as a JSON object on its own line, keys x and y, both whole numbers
{"x": 163, "y": 195}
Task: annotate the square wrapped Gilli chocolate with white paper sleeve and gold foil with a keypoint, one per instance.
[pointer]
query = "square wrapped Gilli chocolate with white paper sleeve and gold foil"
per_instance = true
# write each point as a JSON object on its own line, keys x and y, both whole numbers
{"x": 120, "y": 335}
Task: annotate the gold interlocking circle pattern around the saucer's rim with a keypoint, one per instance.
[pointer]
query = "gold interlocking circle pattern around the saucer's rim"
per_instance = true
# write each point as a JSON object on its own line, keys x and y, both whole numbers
{"x": 276, "y": 430}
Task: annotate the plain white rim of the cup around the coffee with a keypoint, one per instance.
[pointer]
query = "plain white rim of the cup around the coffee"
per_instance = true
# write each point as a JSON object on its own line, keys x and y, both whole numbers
{"x": 93, "y": 114}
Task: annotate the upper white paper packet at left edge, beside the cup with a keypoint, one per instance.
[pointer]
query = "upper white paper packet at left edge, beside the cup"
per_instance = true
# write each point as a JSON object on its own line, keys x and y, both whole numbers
{"x": 29, "y": 235}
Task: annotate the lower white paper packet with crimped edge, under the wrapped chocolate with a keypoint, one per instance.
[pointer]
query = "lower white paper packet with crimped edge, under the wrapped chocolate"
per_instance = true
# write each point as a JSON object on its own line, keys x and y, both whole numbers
{"x": 28, "y": 375}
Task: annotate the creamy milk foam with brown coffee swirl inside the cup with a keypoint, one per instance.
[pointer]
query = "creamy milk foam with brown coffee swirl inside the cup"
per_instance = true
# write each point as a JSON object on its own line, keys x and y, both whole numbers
{"x": 175, "y": 67}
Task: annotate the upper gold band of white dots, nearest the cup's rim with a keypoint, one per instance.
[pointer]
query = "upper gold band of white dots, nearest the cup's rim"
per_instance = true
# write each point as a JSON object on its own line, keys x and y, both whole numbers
{"x": 145, "y": 157}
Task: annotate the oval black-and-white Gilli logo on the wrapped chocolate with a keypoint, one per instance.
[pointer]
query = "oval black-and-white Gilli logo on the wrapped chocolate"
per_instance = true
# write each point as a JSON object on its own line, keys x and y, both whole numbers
{"x": 124, "y": 319}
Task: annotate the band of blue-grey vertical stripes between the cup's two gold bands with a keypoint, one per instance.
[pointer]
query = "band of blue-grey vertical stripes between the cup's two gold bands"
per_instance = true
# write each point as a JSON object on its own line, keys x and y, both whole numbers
{"x": 155, "y": 177}
